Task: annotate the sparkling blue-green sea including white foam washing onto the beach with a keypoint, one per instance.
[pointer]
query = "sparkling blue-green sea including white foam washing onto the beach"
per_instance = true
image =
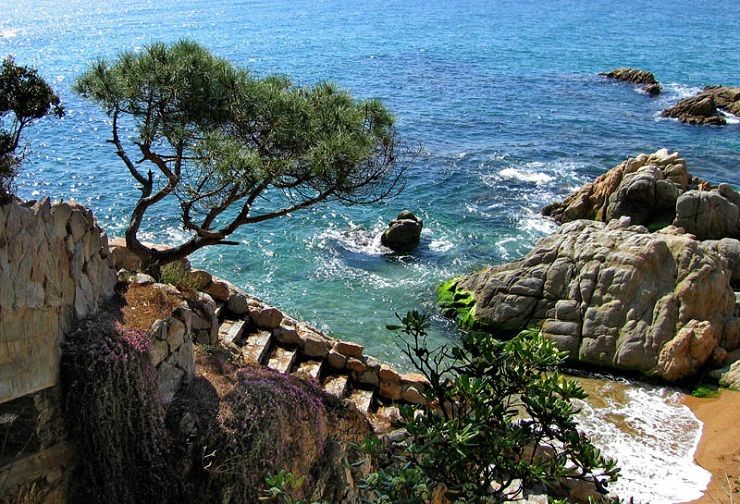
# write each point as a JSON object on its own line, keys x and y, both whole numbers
{"x": 502, "y": 102}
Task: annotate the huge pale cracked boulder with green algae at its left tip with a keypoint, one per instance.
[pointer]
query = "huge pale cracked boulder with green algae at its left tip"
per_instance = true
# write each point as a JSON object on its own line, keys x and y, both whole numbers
{"x": 614, "y": 296}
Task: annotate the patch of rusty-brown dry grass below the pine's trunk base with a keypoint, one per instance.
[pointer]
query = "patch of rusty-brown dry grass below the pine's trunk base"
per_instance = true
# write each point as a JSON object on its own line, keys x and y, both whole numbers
{"x": 144, "y": 304}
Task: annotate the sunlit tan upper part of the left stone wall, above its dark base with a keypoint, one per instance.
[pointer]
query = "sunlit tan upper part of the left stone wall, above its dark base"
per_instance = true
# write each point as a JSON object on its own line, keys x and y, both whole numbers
{"x": 53, "y": 267}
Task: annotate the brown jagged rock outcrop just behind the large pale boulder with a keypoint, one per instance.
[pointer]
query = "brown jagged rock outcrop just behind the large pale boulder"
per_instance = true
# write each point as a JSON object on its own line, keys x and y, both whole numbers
{"x": 655, "y": 190}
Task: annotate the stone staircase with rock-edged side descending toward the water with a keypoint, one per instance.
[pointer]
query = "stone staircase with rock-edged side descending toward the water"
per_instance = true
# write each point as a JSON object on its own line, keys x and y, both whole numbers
{"x": 339, "y": 367}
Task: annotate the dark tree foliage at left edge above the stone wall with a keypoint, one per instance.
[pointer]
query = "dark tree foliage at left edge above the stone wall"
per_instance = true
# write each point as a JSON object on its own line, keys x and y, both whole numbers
{"x": 24, "y": 98}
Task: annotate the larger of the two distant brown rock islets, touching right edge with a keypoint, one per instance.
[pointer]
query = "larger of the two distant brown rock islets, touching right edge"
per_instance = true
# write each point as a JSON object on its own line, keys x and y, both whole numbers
{"x": 704, "y": 107}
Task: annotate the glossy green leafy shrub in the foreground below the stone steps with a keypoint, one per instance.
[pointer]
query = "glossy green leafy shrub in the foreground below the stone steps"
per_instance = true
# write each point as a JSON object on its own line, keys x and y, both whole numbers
{"x": 490, "y": 404}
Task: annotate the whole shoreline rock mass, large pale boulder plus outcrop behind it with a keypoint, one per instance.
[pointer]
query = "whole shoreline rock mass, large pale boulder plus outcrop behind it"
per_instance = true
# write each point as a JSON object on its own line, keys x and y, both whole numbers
{"x": 614, "y": 294}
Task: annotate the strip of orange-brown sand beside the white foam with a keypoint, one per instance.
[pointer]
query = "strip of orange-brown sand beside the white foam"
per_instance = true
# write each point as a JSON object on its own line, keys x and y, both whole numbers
{"x": 719, "y": 447}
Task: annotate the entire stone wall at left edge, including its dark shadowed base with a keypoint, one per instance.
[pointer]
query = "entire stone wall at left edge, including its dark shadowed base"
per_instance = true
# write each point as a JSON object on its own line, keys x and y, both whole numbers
{"x": 54, "y": 268}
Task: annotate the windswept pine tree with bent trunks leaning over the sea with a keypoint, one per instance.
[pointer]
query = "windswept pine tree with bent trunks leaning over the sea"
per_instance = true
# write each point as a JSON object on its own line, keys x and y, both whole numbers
{"x": 220, "y": 140}
